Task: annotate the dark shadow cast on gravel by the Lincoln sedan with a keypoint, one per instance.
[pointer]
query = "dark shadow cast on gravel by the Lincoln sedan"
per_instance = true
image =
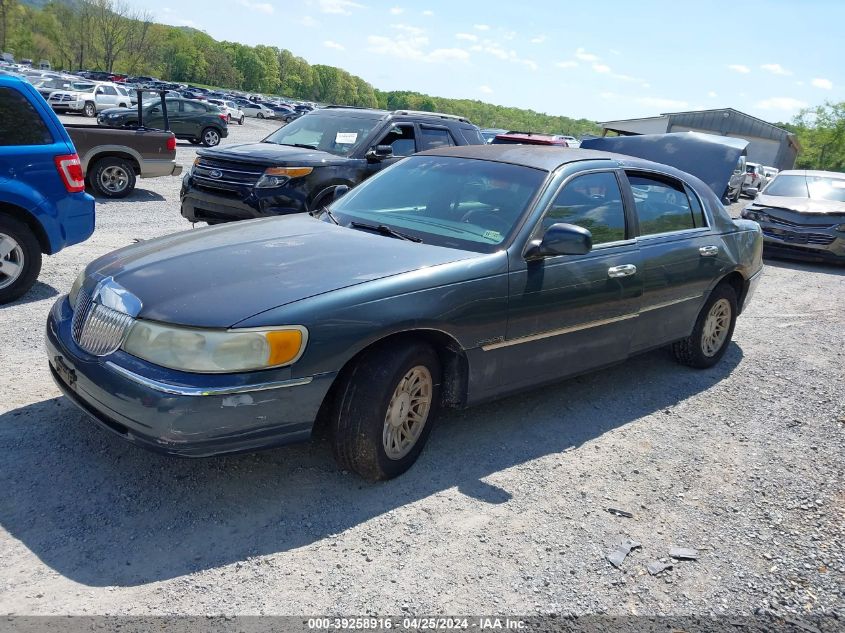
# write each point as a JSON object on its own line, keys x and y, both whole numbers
{"x": 102, "y": 512}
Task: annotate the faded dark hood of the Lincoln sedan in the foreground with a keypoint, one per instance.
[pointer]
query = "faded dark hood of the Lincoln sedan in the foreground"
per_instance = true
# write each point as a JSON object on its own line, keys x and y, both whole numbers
{"x": 218, "y": 276}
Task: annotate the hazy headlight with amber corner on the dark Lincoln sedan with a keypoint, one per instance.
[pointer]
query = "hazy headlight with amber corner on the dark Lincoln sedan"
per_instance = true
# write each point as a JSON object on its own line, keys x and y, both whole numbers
{"x": 215, "y": 351}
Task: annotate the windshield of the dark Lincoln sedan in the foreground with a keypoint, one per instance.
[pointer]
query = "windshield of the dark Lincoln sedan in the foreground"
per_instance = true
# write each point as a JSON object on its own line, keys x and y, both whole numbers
{"x": 463, "y": 203}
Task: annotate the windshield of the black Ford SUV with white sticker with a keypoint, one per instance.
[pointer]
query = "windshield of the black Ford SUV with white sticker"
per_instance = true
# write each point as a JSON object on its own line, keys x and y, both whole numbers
{"x": 337, "y": 134}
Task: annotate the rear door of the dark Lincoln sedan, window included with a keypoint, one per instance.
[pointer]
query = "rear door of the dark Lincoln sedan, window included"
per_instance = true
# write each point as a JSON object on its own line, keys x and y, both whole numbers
{"x": 681, "y": 257}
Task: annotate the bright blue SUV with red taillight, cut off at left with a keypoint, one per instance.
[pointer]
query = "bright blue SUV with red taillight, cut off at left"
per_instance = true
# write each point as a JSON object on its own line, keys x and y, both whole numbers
{"x": 43, "y": 204}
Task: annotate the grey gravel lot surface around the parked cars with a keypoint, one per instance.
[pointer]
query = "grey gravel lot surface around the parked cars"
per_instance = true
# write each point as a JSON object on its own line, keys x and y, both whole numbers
{"x": 505, "y": 511}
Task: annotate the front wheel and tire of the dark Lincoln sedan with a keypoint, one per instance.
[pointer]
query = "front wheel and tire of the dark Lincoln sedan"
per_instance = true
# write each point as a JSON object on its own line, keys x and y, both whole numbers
{"x": 371, "y": 405}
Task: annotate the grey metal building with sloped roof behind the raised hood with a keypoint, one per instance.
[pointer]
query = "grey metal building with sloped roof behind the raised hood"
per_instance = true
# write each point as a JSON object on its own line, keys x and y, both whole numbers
{"x": 768, "y": 144}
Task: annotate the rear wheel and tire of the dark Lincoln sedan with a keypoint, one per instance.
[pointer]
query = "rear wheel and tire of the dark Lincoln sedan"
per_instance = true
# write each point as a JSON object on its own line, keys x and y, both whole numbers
{"x": 706, "y": 345}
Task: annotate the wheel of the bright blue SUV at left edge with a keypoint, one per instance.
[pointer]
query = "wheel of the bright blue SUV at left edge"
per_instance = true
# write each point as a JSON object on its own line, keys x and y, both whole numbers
{"x": 20, "y": 259}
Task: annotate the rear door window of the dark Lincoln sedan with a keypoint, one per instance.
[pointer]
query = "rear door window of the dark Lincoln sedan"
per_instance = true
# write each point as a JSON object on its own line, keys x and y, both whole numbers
{"x": 663, "y": 205}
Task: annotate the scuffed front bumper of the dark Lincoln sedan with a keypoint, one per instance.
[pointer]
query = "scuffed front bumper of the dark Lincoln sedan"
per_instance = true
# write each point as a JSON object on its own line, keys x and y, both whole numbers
{"x": 161, "y": 410}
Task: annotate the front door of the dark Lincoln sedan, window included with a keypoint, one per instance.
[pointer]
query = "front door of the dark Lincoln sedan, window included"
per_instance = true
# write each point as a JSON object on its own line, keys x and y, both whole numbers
{"x": 571, "y": 313}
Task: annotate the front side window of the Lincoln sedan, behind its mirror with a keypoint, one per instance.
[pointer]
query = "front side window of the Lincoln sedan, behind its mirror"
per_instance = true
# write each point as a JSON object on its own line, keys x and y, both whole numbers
{"x": 594, "y": 202}
